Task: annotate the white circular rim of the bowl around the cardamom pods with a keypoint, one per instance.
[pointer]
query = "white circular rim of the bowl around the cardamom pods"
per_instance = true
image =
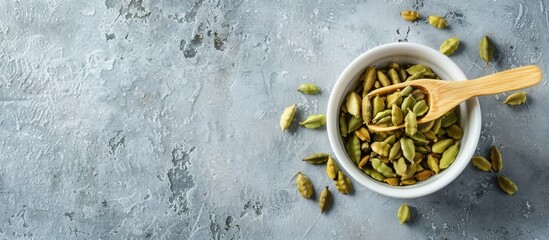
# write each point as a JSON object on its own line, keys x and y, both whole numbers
{"x": 467, "y": 147}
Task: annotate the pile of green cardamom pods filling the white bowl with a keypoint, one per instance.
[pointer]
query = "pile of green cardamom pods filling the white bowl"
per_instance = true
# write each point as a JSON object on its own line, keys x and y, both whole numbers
{"x": 404, "y": 156}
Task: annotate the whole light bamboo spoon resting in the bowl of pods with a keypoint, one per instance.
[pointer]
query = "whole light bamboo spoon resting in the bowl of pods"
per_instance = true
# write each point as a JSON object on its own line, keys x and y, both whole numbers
{"x": 445, "y": 95}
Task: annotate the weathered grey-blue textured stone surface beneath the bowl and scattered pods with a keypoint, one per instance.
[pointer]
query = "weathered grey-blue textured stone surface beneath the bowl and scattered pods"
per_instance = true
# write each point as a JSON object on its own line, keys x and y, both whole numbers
{"x": 136, "y": 119}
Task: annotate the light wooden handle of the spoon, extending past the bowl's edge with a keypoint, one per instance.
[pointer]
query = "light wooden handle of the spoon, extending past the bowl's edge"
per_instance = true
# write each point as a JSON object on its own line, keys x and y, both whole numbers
{"x": 514, "y": 79}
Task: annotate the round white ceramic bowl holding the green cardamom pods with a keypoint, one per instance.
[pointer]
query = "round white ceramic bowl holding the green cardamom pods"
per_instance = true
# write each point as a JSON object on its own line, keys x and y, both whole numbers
{"x": 469, "y": 112}
